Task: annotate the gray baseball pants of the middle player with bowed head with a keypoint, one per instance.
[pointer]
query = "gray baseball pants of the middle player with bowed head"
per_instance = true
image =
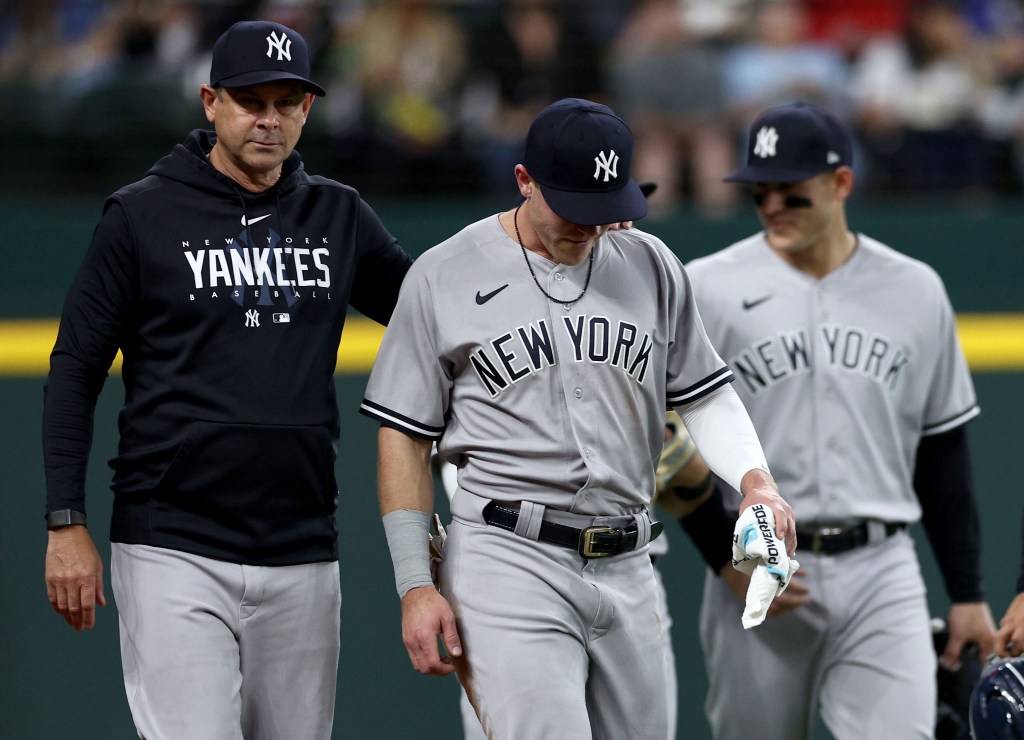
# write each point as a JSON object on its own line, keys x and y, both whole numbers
{"x": 558, "y": 645}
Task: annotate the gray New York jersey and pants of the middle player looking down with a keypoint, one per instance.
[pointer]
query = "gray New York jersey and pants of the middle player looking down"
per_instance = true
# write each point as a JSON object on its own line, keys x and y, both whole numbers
{"x": 564, "y": 410}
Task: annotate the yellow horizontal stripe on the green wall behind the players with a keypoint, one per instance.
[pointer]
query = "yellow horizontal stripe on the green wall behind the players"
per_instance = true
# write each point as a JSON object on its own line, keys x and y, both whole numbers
{"x": 993, "y": 342}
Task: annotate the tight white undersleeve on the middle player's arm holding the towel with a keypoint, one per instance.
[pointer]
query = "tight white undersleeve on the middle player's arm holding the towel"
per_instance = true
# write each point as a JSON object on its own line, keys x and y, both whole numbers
{"x": 724, "y": 436}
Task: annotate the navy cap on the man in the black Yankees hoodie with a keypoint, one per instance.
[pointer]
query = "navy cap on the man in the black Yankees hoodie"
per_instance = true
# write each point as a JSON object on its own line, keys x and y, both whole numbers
{"x": 254, "y": 52}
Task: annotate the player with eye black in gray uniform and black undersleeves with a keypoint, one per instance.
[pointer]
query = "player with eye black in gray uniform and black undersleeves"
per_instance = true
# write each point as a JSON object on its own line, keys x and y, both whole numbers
{"x": 847, "y": 359}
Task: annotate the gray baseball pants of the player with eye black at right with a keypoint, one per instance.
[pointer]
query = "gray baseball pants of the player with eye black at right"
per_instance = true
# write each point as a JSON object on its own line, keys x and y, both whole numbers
{"x": 861, "y": 654}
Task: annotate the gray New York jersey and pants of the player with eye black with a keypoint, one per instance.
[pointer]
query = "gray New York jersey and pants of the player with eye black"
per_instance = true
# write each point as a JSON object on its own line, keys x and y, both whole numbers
{"x": 842, "y": 377}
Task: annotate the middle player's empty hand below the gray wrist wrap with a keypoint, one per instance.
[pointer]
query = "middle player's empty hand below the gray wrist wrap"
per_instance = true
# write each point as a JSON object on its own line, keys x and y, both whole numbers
{"x": 425, "y": 616}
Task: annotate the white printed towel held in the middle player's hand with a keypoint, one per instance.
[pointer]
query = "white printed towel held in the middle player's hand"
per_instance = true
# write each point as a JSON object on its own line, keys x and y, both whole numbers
{"x": 757, "y": 552}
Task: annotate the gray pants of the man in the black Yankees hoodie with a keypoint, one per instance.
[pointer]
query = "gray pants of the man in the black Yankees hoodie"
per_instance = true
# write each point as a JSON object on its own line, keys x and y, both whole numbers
{"x": 219, "y": 651}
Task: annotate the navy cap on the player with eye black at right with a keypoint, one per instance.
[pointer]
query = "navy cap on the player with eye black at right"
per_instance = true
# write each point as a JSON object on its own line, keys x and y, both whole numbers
{"x": 794, "y": 143}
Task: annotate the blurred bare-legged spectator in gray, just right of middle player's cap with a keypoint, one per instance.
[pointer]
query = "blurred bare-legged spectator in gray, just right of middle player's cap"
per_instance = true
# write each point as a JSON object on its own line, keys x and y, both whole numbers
{"x": 666, "y": 83}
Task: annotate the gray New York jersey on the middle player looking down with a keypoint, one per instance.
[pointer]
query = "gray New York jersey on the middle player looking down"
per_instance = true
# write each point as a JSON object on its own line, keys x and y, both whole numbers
{"x": 531, "y": 401}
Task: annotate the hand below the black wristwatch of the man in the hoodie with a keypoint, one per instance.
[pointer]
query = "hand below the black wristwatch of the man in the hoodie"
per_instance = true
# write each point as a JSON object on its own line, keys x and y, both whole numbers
{"x": 74, "y": 577}
